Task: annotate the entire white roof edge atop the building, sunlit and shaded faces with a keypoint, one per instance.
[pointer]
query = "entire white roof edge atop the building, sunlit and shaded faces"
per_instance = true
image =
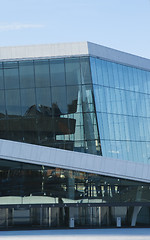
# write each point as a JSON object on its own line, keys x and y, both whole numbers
{"x": 72, "y": 49}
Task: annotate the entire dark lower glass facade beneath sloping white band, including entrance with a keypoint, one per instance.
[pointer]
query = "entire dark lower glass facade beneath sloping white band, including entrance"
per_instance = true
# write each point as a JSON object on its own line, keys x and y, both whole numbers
{"x": 33, "y": 196}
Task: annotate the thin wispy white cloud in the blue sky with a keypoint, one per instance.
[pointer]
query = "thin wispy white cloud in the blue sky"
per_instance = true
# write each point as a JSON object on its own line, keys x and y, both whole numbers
{"x": 18, "y": 26}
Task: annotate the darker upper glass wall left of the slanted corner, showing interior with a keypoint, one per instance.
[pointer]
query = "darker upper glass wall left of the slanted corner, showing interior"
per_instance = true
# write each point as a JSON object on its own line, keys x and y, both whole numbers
{"x": 49, "y": 102}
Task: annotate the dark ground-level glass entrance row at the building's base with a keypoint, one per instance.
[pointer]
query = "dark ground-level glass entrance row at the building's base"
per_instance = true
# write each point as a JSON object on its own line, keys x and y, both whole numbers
{"x": 82, "y": 217}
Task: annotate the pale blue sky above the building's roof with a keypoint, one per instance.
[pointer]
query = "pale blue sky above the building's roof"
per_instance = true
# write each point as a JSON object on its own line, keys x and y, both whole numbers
{"x": 120, "y": 24}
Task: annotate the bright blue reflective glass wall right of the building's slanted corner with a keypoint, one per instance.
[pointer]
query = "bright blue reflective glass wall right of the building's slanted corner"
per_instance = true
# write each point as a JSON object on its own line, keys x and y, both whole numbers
{"x": 122, "y": 98}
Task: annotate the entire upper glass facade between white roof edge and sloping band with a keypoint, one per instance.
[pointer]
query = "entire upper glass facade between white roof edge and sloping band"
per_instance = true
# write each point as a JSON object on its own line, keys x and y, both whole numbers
{"x": 80, "y": 104}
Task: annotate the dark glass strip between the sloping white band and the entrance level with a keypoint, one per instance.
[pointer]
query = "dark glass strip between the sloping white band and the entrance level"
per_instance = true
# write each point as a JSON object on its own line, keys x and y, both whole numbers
{"x": 22, "y": 183}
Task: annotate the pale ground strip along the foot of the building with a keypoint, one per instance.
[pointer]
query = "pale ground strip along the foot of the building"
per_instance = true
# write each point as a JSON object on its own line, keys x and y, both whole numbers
{"x": 79, "y": 234}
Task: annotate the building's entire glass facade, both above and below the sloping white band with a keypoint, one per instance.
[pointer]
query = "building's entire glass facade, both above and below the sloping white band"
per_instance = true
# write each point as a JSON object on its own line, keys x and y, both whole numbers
{"x": 82, "y": 104}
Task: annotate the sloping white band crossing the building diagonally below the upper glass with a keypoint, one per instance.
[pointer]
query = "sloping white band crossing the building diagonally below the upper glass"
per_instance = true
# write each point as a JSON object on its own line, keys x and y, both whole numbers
{"x": 34, "y": 154}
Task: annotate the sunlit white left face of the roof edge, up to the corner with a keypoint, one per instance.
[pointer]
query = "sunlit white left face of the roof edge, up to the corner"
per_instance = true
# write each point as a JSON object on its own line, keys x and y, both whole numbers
{"x": 43, "y": 51}
